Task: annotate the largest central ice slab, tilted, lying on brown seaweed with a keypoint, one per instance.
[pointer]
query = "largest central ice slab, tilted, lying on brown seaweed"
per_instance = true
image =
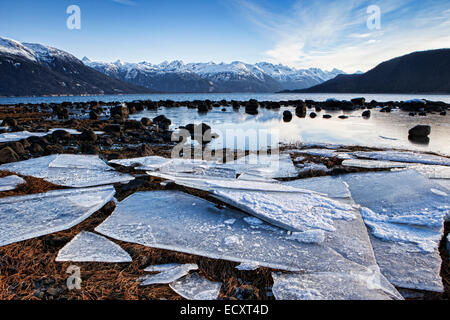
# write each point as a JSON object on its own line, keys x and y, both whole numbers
{"x": 176, "y": 221}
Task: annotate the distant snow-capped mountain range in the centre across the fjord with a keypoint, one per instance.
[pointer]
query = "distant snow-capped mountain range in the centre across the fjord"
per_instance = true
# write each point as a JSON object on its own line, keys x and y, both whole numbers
{"x": 237, "y": 76}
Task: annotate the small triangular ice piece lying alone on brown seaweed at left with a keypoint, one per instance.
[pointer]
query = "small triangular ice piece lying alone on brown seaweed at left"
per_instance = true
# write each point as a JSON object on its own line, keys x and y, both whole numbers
{"x": 91, "y": 247}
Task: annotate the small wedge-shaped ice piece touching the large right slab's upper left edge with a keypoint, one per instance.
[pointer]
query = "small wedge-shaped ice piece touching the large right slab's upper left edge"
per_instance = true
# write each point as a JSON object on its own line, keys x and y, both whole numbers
{"x": 333, "y": 187}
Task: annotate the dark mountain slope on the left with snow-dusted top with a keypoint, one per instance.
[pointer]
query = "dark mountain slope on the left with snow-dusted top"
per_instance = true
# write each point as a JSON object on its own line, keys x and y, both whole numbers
{"x": 34, "y": 69}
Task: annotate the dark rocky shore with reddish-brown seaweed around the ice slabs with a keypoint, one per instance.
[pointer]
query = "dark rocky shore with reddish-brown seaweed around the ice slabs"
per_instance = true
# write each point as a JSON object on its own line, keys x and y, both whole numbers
{"x": 28, "y": 269}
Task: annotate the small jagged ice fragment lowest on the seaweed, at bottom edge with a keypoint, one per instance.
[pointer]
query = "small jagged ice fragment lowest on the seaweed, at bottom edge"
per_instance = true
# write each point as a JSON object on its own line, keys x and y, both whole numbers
{"x": 195, "y": 287}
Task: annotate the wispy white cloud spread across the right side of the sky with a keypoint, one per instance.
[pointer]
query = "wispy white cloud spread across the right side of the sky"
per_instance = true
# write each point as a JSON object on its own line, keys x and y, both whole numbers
{"x": 334, "y": 34}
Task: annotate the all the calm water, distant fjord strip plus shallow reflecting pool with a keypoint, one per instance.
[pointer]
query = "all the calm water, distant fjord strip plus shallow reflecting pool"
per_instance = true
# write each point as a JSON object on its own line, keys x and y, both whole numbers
{"x": 382, "y": 130}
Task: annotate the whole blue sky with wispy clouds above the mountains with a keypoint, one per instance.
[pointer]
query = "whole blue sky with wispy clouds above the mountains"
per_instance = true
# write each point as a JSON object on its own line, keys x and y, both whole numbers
{"x": 299, "y": 33}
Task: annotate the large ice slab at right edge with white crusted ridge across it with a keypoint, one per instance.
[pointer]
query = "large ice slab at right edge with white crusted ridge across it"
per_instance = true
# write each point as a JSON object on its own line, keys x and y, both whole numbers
{"x": 405, "y": 216}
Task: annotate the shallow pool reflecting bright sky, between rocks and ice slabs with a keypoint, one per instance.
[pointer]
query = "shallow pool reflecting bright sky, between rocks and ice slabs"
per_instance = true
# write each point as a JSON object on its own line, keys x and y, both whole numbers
{"x": 382, "y": 130}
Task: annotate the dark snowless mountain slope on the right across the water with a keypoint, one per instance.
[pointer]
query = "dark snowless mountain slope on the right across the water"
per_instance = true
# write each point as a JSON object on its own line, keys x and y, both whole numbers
{"x": 418, "y": 72}
